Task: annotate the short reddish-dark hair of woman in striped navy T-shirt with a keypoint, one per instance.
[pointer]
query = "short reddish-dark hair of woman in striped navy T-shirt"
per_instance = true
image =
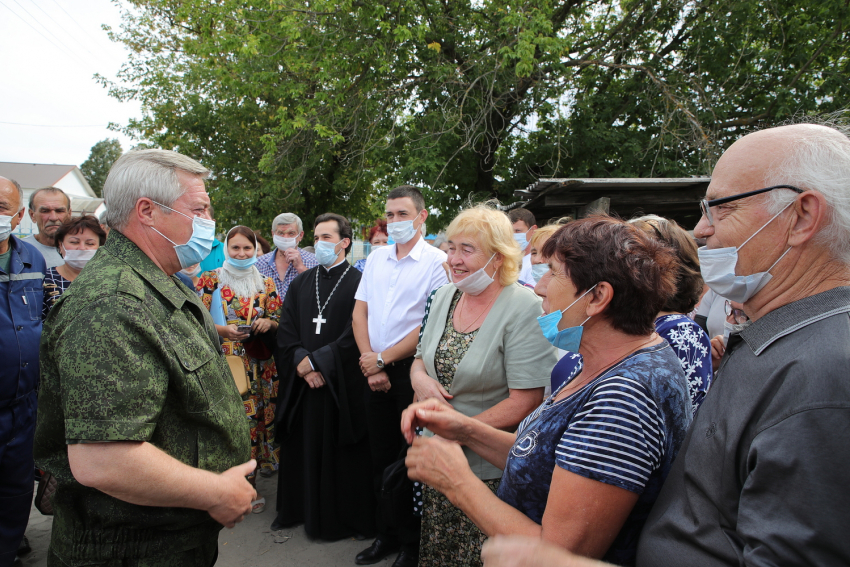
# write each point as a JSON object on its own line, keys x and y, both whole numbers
{"x": 640, "y": 269}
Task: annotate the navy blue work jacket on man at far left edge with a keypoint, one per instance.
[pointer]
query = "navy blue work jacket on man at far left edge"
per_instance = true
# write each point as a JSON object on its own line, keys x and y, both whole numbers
{"x": 21, "y": 297}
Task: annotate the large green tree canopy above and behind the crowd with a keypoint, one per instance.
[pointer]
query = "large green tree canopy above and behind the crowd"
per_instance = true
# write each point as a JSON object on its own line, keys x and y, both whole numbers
{"x": 326, "y": 105}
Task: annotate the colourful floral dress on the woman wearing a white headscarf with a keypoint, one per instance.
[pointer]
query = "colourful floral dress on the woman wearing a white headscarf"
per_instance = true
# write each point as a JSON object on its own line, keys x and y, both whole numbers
{"x": 262, "y": 374}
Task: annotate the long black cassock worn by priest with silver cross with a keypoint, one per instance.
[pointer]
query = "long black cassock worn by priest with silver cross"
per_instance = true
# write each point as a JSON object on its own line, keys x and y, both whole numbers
{"x": 325, "y": 477}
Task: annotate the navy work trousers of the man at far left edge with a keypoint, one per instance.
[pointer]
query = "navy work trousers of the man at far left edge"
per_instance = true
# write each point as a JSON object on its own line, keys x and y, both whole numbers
{"x": 17, "y": 430}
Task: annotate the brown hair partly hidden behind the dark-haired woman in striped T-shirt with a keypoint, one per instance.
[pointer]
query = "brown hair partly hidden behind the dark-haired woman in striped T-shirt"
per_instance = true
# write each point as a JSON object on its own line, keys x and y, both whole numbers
{"x": 689, "y": 283}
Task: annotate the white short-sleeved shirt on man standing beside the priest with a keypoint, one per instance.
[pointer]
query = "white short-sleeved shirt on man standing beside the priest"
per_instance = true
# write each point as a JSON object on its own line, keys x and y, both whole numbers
{"x": 396, "y": 290}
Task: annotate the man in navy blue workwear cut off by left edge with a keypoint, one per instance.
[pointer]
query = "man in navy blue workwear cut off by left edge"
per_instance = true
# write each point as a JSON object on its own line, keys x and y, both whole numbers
{"x": 22, "y": 270}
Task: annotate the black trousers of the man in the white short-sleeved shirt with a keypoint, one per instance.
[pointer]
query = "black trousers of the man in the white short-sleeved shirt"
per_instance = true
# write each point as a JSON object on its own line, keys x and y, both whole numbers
{"x": 386, "y": 442}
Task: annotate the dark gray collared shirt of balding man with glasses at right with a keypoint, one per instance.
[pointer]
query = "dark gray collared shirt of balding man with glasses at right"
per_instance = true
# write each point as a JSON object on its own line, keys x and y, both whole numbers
{"x": 761, "y": 478}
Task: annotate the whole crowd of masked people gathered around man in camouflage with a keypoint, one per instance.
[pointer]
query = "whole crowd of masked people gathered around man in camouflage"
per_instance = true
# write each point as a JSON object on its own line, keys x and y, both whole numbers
{"x": 587, "y": 390}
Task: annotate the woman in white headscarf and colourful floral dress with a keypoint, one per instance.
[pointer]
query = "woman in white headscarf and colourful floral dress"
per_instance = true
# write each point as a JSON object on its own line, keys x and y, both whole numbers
{"x": 248, "y": 296}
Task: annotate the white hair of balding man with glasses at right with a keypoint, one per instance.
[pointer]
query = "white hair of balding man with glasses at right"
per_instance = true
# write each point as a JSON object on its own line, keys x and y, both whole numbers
{"x": 819, "y": 161}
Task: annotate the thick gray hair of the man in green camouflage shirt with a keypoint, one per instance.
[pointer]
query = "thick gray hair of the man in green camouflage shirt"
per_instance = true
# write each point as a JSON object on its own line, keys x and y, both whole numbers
{"x": 145, "y": 173}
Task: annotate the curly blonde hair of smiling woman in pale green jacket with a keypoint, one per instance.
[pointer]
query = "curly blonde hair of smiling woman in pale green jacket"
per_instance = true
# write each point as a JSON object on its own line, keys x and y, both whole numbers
{"x": 493, "y": 232}
